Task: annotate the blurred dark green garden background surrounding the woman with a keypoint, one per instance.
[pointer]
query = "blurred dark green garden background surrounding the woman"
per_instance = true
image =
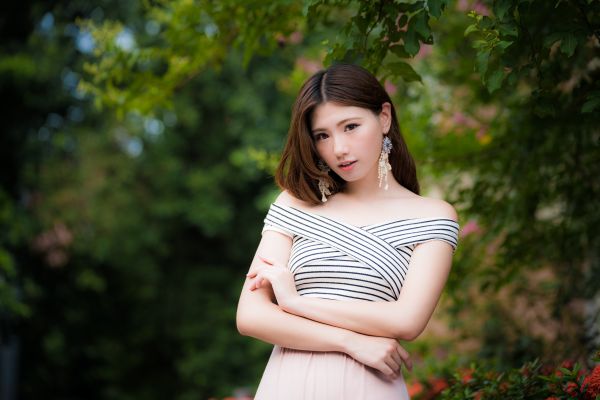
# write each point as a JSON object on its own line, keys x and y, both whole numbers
{"x": 137, "y": 150}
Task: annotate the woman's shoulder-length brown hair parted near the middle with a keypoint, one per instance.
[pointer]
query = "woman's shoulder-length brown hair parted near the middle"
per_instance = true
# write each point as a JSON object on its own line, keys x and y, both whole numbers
{"x": 346, "y": 85}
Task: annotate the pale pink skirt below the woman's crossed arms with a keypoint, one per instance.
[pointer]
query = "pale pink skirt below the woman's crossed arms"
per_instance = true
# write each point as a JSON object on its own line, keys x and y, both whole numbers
{"x": 303, "y": 375}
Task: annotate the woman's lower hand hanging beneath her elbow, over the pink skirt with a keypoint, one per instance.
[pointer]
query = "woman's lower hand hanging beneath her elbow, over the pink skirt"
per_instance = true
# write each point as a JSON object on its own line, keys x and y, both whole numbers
{"x": 381, "y": 353}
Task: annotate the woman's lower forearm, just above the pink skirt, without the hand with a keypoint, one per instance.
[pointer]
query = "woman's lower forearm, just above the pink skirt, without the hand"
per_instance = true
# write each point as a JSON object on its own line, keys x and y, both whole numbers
{"x": 269, "y": 323}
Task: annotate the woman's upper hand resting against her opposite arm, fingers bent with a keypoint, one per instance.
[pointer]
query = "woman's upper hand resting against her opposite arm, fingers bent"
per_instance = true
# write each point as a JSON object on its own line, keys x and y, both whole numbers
{"x": 280, "y": 278}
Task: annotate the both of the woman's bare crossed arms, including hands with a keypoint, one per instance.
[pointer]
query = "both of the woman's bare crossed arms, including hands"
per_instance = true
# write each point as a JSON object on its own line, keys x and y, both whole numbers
{"x": 271, "y": 310}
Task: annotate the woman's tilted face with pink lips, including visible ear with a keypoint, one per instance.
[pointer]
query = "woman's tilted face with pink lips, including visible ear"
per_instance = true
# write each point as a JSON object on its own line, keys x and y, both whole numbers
{"x": 344, "y": 134}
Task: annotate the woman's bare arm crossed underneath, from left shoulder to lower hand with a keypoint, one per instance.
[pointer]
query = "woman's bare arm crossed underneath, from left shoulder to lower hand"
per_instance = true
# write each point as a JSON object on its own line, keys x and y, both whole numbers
{"x": 259, "y": 317}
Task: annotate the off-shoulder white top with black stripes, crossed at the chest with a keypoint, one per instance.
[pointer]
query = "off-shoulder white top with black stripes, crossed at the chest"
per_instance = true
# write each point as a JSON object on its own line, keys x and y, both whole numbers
{"x": 335, "y": 260}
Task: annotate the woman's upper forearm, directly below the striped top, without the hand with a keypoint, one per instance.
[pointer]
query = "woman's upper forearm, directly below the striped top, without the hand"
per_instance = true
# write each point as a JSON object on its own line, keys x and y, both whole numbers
{"x": 369, "y": 318}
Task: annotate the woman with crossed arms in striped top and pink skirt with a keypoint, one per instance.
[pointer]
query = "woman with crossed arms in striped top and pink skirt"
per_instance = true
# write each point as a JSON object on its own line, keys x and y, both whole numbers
{"x": 349, "y": 226}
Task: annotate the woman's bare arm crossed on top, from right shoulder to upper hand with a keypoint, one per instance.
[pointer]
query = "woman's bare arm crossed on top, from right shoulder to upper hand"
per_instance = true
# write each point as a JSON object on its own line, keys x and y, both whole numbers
{"x": 404, "y": 318}
